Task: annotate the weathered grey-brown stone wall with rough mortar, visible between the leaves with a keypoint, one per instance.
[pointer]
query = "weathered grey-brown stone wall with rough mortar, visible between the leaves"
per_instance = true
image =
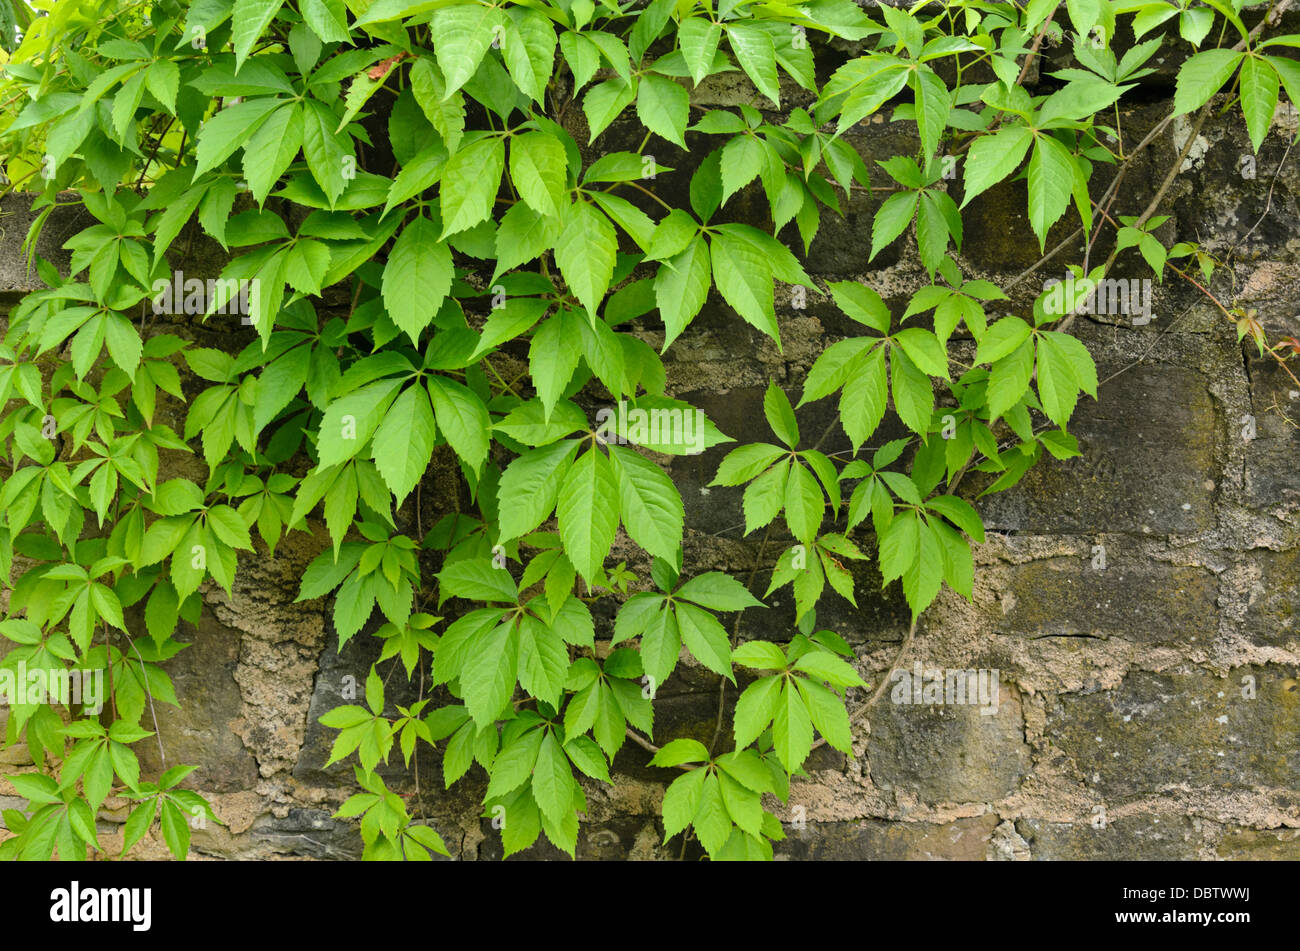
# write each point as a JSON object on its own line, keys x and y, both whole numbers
{"x": 1147, "y": 710}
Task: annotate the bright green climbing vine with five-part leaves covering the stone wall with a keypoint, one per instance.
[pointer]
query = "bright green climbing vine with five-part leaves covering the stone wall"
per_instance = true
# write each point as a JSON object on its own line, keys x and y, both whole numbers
{"x": 445, "y": 244}
